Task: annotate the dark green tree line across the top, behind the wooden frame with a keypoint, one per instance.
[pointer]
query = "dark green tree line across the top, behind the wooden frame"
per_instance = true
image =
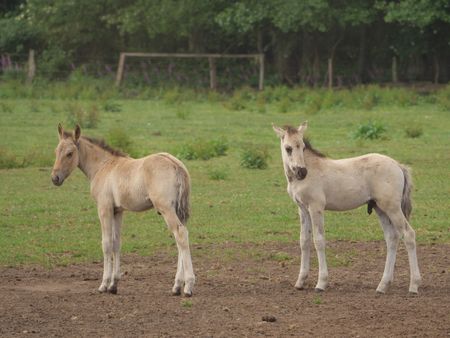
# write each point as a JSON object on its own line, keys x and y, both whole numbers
{"x": 363, "y": 39}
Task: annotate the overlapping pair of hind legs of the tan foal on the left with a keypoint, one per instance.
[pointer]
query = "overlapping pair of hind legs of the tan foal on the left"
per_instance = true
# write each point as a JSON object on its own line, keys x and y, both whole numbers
{"x": 181, "y": 235}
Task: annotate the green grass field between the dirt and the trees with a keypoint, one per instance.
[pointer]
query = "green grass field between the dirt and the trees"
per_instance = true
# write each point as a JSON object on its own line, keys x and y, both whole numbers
{"x": 49, "y": 225}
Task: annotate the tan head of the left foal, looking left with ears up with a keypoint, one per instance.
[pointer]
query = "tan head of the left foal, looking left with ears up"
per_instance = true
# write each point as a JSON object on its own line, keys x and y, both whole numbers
{"x": 66, "y": 154}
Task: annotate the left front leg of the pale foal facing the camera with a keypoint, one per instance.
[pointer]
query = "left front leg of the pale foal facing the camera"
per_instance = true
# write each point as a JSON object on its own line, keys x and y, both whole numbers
{"x": 305, "y": 246}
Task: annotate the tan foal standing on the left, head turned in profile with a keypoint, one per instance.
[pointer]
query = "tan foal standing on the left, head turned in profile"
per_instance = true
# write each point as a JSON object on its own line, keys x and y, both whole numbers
{"x": 119, "y": 183}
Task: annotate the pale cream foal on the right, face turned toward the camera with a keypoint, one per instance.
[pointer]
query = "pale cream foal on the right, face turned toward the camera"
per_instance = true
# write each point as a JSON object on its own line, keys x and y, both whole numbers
{"x": 317, "y": 183}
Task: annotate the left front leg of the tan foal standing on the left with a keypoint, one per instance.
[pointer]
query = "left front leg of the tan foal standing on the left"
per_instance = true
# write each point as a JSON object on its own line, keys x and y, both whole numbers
{"x": 106, "y": 215}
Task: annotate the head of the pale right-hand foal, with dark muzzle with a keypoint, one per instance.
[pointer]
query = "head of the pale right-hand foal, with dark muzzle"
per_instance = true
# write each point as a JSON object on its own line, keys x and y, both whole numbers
{"x": 292, "y": 148}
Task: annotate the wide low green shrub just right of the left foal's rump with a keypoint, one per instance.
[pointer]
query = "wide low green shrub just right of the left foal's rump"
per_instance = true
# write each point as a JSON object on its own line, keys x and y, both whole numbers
{"x": 203, "y": 150}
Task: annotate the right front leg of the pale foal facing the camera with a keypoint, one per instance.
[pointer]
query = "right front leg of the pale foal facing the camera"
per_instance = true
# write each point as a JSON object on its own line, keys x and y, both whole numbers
{"x": 319, "y": 242}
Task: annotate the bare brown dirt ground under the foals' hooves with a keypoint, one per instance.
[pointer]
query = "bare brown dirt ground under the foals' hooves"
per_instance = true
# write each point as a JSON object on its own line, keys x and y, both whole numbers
{"x": 232, "y": 296}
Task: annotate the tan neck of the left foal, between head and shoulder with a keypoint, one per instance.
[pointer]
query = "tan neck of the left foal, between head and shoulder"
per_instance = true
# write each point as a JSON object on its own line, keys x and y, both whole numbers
{"x": 92, "y": 158}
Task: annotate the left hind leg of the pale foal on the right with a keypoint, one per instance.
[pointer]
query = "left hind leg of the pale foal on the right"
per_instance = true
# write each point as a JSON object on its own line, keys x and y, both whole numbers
{"x": 391, "y": 237}
